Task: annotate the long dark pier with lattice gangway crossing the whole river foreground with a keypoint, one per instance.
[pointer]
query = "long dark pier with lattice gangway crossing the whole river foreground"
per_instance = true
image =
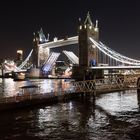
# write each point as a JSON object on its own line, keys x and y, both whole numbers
{"x": 26, "y": 98}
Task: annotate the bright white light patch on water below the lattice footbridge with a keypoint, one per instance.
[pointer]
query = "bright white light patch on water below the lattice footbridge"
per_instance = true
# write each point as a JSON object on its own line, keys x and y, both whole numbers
{"x": 119, "y": 102}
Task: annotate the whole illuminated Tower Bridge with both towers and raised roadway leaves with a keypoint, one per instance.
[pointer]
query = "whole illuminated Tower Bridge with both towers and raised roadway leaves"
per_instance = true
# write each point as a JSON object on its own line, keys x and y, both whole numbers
{"x": 88, "y": 52}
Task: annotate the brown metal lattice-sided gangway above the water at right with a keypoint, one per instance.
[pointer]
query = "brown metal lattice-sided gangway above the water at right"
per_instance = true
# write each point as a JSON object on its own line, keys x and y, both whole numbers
{"x": 107, "y": 83}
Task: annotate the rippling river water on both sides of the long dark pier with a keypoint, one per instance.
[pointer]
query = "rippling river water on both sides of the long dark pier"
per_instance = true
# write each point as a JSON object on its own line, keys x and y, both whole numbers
{"x": 110, "y": 116}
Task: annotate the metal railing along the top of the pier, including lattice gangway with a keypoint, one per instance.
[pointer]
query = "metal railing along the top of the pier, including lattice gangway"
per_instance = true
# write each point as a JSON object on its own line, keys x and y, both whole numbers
{"x": 108, "y": 83}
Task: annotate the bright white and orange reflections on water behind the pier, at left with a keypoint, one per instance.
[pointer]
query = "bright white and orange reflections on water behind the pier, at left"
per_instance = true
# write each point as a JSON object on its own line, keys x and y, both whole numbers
{"x": 8, "y": 87}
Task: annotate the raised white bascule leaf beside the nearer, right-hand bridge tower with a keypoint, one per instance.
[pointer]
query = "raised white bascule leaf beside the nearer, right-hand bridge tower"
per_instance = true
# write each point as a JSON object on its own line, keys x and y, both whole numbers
{"x": 72, "y": 57}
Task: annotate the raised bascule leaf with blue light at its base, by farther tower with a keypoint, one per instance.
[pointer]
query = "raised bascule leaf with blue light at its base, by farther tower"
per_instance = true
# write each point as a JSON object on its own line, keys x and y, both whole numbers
{"x": 48, "y": 65}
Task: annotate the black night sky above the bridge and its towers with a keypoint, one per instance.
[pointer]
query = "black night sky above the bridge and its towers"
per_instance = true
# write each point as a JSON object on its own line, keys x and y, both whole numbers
{"x": 119, "y": 23}
